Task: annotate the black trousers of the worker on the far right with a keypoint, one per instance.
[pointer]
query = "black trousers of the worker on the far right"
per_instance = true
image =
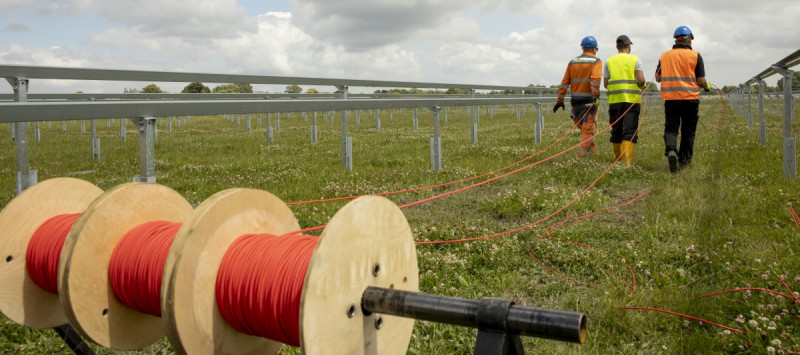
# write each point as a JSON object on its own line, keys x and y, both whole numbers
{"x": 681, "y": 115}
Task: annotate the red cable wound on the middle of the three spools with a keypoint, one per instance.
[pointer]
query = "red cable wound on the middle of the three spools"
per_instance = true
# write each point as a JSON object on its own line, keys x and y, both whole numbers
{"x": 136, "y": 268}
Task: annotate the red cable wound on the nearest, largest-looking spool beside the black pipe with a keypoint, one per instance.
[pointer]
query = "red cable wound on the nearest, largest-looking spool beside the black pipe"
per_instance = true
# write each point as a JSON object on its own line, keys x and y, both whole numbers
{"x": 265, "y": 303}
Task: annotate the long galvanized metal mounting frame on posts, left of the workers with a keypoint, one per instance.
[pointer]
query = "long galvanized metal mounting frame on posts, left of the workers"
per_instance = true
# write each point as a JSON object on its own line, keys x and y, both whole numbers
{"x": 142, "y": 109}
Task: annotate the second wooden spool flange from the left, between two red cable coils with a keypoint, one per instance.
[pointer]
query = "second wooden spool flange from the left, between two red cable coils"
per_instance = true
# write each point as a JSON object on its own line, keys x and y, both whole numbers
{"x": 89, "y": 301}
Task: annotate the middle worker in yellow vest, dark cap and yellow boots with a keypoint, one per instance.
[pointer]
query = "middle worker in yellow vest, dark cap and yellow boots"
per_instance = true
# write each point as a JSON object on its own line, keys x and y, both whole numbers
{"x": 624, "y": 79}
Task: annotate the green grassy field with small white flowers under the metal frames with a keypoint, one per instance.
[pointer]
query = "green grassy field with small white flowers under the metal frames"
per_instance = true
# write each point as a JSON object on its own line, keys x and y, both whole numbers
{"x": 722, "y": 224}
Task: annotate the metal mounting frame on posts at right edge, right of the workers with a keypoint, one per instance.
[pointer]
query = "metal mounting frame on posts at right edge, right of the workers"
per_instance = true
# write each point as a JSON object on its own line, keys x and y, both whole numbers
{"x": 782, "y": 68}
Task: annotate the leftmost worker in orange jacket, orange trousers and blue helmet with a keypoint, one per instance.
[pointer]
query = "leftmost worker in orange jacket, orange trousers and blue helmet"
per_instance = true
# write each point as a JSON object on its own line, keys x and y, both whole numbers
{"x": 583, "y": 79}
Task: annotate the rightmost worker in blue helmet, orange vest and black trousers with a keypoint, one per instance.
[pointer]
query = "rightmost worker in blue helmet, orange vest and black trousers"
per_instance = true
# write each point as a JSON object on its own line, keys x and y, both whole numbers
{"x": 682, "y": 74}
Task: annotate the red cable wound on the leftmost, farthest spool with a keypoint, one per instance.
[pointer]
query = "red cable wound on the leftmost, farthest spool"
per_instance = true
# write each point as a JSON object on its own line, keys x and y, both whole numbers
{"x": 44, "y": 250}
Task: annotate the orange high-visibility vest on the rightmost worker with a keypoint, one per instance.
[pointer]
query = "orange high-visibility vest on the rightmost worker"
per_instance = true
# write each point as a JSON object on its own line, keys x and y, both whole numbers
{"x": 678, "y": 81}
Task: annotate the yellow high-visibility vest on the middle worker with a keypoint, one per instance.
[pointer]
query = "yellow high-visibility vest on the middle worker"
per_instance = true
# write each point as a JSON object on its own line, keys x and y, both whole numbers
{"x": 622, "y": 80}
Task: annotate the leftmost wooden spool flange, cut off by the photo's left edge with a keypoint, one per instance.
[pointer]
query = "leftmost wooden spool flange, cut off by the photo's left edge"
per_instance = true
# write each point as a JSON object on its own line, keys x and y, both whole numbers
{"x": 21, "y": 300}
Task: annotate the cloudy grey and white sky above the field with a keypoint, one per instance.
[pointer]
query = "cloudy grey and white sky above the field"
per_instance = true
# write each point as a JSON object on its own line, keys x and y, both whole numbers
{"x": 490, "y": 42}
